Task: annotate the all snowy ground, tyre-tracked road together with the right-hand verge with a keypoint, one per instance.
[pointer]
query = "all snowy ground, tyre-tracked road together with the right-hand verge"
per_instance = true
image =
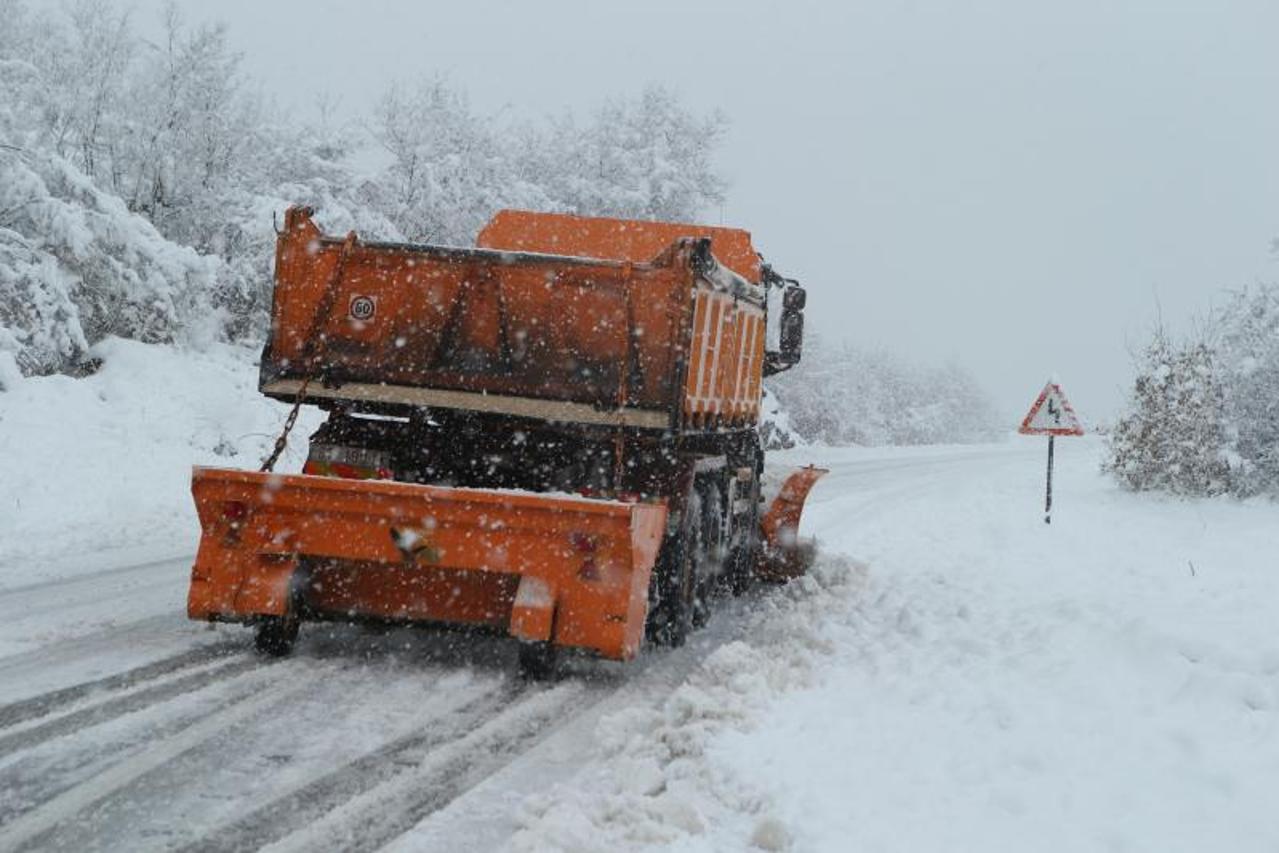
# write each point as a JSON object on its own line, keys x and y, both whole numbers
{"x": 964, "y": 678}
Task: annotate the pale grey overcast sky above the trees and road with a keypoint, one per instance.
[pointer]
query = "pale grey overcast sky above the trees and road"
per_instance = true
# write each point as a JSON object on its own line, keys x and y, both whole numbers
{"x": 1007, "y": 185}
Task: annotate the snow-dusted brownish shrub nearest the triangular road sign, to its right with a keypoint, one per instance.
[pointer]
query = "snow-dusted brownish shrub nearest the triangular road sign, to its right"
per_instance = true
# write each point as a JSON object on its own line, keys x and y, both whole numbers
{"x": 1173, "y": 437}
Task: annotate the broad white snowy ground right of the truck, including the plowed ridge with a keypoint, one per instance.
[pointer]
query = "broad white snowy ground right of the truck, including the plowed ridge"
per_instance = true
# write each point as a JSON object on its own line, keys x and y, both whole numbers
{"x": 978, "y": 681}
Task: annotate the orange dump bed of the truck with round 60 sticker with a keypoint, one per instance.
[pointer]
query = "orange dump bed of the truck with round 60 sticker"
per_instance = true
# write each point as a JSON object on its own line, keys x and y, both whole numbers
{"x": 673, "y": 341}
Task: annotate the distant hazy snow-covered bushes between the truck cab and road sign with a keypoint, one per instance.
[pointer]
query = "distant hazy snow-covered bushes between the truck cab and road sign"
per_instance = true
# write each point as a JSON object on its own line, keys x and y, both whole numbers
{"x": 842, "y": 395}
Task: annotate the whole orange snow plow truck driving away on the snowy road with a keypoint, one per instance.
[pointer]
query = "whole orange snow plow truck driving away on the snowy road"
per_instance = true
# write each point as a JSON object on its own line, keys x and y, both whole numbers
{"x": 553, "y": 435}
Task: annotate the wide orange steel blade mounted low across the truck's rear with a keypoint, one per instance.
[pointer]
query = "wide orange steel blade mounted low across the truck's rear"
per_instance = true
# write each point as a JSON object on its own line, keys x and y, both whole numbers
{"x": 543, "y": 568}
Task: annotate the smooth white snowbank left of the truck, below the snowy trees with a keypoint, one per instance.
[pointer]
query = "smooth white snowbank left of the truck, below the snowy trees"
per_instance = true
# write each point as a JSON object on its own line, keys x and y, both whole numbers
{"x": 98, "y": 471}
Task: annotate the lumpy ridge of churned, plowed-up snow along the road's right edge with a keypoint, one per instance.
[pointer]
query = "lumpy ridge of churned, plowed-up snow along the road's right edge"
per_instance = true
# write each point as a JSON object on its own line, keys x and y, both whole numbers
{"x": 653, "y": 785}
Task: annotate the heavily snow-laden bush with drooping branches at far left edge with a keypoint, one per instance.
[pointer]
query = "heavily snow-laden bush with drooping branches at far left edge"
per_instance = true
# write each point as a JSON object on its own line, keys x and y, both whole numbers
{"x": 76, "y": 265}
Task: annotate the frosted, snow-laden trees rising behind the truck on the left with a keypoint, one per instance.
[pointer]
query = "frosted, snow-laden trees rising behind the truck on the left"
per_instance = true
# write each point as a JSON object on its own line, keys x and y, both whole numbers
{"x": 139, "y": 180}
